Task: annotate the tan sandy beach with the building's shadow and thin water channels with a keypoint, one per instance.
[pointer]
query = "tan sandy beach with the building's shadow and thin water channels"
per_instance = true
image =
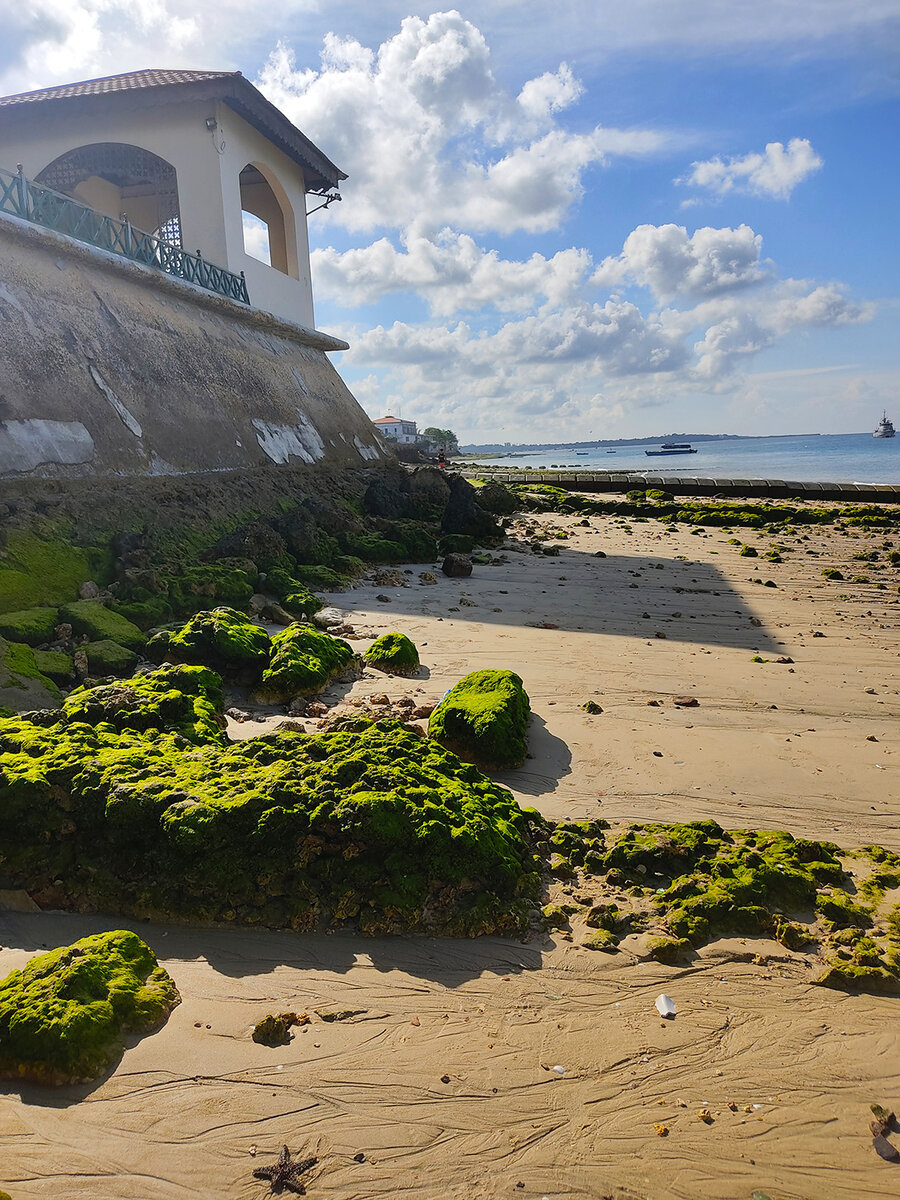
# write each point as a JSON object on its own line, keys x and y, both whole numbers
{"x": 788, "y": 1071}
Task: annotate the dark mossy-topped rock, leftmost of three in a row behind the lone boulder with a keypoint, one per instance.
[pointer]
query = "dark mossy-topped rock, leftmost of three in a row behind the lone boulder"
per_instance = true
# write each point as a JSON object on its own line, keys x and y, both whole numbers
{"x": 221, "y": 639}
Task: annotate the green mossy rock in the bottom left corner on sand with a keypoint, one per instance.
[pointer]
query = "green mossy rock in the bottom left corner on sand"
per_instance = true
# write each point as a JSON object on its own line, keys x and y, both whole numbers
{"x": 63, "y": 1017}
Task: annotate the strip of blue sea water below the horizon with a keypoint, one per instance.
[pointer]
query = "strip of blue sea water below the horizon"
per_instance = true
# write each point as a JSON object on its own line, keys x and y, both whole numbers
{"x": 825, "y": 458}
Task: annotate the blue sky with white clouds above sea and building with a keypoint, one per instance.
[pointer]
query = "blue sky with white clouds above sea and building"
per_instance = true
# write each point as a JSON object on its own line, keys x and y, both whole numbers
{"x": 575, "y": 220}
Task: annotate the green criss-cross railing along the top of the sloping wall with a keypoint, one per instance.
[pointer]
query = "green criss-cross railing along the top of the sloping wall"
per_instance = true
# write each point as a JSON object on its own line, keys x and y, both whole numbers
{"x": 53, "y": 211}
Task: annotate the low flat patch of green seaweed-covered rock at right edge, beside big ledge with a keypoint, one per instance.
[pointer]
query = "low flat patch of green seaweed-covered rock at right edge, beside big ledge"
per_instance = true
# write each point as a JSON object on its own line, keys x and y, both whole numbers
{"x": 694, "y": 883}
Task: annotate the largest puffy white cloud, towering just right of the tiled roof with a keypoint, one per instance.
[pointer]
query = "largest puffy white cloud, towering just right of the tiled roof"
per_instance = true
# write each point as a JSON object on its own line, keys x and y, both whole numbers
{"x": 428, "y": 135}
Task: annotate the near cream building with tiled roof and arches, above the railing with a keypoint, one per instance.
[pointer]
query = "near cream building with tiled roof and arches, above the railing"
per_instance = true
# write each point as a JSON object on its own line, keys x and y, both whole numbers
{"x": 184, "y": 155}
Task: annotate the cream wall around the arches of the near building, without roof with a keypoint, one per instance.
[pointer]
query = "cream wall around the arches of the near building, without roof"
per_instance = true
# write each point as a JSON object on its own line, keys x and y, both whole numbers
{"x": 208, "y": 166}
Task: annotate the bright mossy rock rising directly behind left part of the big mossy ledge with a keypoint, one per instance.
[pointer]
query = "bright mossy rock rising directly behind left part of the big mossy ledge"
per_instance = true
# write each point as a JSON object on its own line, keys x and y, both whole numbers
{"x": 183, "y": 700}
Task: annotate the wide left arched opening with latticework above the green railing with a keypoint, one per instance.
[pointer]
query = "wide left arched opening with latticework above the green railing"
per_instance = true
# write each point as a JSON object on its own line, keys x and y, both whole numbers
{"x": 121, "y": 181}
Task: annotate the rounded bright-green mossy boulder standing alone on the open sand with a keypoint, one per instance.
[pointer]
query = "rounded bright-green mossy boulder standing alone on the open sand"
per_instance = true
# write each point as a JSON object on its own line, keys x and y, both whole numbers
{"x": 484, "y": 719}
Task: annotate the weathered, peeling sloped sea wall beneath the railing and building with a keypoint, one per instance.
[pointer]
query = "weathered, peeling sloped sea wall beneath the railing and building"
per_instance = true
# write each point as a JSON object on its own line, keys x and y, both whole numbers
{"x": 112, "y": 369}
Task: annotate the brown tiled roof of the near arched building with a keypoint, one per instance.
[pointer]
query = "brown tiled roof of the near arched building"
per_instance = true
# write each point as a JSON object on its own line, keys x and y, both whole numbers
{"x": 229, "y": 87}
